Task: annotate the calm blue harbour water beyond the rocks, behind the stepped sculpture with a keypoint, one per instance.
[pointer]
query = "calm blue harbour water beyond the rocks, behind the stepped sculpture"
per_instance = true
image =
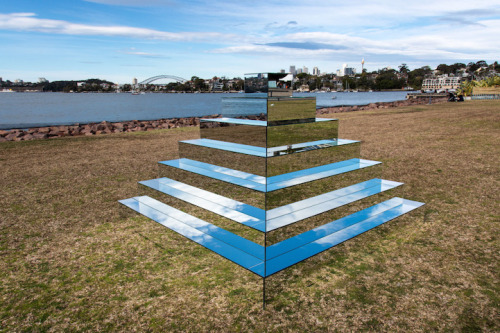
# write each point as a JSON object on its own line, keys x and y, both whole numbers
{"x": 23, "y": 110}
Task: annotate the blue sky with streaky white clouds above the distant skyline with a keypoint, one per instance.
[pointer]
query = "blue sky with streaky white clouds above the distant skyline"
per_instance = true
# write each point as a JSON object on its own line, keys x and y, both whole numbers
{"x": 118, "y": 40}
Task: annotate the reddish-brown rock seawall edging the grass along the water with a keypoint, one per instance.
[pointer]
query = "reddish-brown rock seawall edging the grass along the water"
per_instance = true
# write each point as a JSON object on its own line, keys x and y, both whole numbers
{"x": 105, "y": 127}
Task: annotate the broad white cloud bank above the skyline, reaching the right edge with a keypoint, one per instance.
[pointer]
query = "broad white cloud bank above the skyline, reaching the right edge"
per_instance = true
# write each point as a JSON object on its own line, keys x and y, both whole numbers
{"x": 435, "y": 42}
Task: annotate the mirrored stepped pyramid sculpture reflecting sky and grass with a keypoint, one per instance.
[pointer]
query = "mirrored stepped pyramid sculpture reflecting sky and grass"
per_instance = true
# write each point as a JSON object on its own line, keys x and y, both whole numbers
{"x": 268, "y": 194}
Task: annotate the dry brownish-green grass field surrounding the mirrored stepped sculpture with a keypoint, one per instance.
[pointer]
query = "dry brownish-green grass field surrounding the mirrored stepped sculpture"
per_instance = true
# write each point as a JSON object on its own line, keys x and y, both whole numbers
{"x": 70, "y": 260}
